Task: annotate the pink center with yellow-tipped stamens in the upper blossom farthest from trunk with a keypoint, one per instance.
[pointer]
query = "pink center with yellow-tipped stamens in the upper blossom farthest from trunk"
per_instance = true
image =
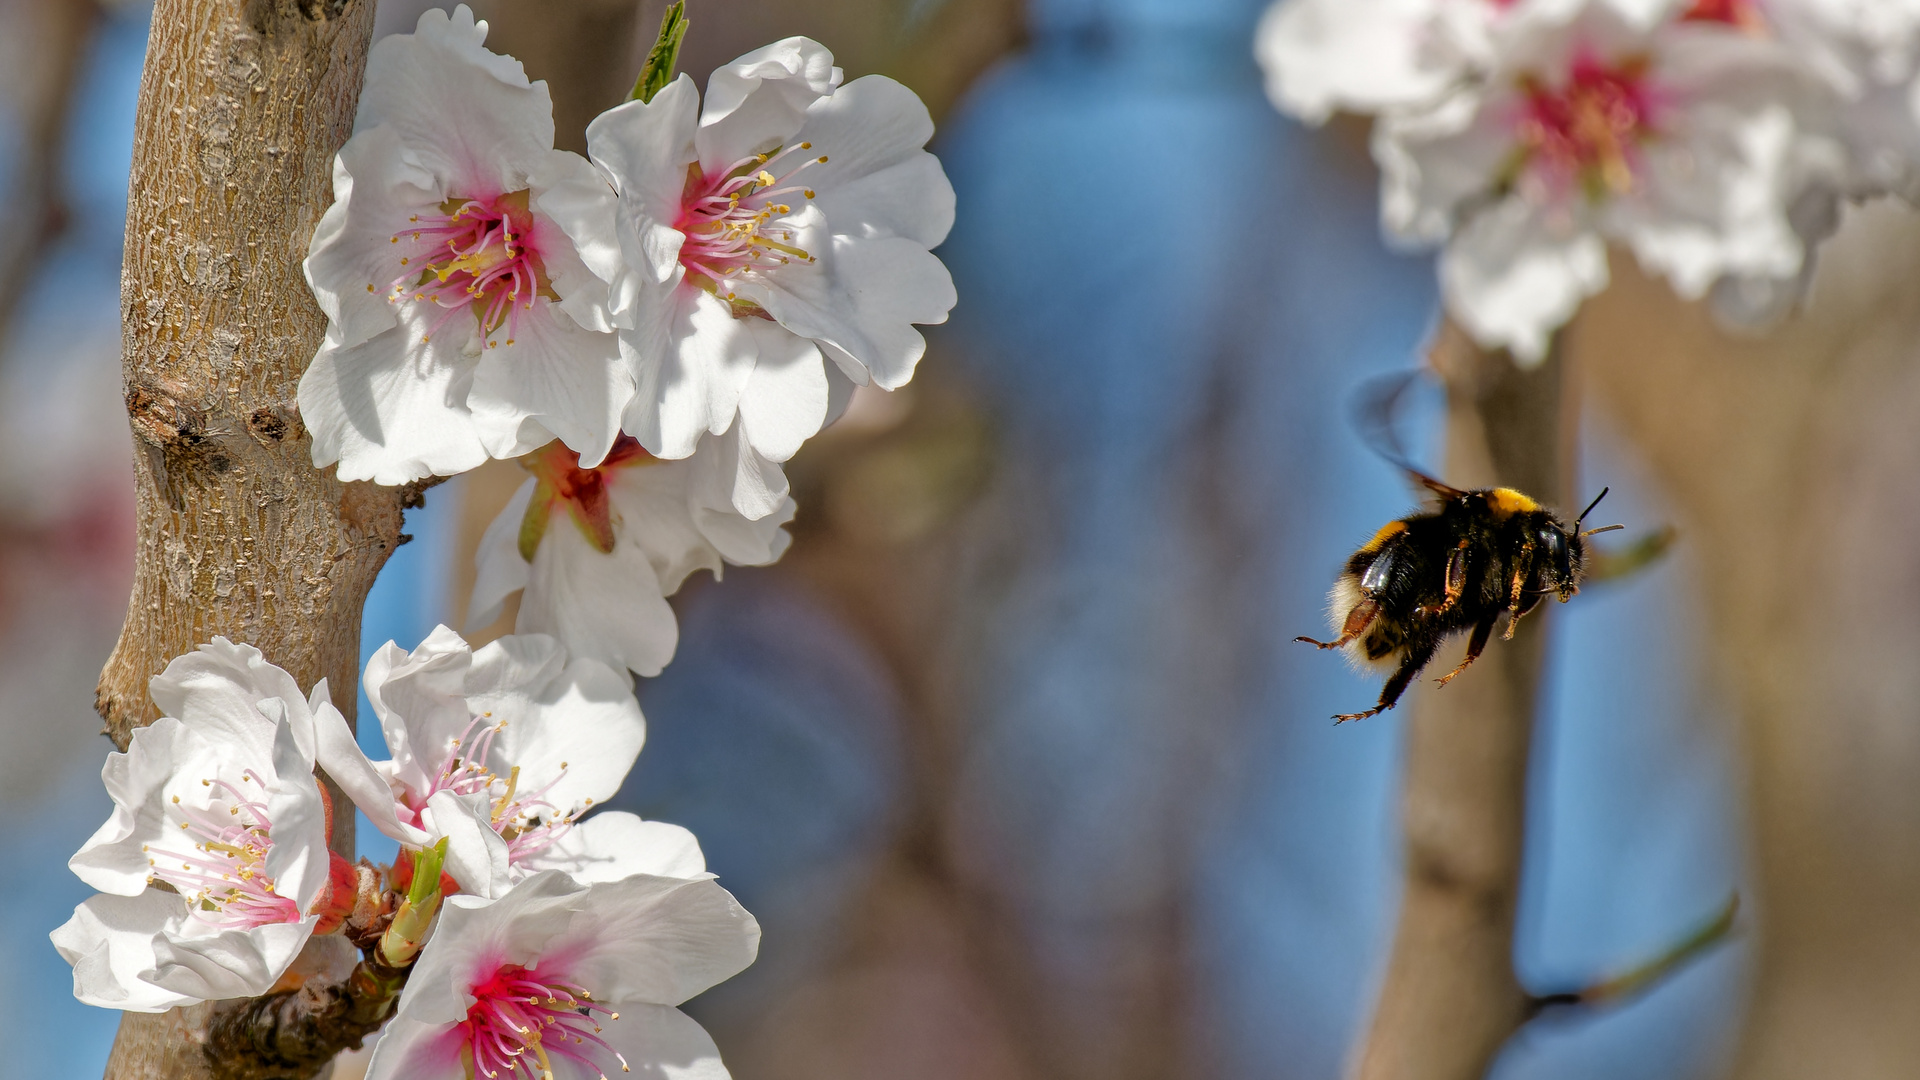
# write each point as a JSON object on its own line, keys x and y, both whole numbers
{"x": 729, "y": 218}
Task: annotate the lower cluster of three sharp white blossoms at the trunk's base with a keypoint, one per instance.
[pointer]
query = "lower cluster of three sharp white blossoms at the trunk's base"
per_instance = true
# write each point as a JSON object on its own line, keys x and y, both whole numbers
{"x": 216, "y": 879}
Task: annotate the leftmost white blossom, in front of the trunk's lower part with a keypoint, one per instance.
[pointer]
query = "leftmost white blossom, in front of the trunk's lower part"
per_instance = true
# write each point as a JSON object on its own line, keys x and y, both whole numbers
{"x": 214, "y": 868}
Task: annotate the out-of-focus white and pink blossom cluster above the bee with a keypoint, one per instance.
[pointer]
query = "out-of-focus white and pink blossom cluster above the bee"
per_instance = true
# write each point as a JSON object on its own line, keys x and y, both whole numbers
{"x": 1714, "y": 139}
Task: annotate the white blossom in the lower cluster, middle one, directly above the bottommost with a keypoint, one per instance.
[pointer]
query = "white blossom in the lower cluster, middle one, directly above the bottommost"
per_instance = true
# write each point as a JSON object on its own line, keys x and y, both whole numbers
{"x": 496, "y": 750}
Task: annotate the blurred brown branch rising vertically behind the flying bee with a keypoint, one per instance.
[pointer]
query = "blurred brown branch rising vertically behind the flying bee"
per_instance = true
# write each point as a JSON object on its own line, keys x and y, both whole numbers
{"x": 1452, "y": 996}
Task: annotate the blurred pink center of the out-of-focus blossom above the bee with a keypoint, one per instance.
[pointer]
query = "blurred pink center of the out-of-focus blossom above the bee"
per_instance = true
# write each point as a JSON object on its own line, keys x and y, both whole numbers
{"x": 1591, "y": 130}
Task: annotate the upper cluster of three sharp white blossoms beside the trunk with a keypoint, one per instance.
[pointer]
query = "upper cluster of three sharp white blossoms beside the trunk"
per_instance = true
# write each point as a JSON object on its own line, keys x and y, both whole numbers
{"x": 652, "y": 330}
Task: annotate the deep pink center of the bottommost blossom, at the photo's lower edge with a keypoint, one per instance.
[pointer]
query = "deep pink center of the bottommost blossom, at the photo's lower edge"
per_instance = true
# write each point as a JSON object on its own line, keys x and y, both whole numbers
{"x": 523, "y": 1019}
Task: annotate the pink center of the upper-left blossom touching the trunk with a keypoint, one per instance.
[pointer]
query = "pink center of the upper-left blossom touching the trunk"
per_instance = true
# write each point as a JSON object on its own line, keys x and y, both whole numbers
{"x": 479, "y": 257}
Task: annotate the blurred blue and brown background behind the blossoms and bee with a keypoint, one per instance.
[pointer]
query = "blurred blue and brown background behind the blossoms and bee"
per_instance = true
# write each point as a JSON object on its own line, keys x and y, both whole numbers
{"x": 1013, "y": 754}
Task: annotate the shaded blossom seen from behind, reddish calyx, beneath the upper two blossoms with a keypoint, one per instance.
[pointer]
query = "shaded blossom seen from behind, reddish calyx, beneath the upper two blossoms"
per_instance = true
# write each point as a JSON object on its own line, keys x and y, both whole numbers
{"x": 596, "y": 552}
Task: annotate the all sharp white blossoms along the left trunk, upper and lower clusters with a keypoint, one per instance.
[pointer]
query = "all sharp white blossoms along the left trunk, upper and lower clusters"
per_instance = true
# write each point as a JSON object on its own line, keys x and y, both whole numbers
{"x": 652, "y": 331}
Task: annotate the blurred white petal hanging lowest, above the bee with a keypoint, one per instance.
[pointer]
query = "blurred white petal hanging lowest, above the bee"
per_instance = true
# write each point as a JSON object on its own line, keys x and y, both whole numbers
{"x": 1512, "y": 280}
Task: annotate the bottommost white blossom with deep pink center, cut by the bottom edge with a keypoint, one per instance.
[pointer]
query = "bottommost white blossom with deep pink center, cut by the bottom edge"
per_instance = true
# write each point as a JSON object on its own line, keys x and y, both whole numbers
{"x": 565, "y": 981}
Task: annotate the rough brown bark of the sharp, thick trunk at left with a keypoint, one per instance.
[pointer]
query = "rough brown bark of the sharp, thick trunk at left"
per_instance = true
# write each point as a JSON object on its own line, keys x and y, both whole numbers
{"x": 243, "y": 107}
